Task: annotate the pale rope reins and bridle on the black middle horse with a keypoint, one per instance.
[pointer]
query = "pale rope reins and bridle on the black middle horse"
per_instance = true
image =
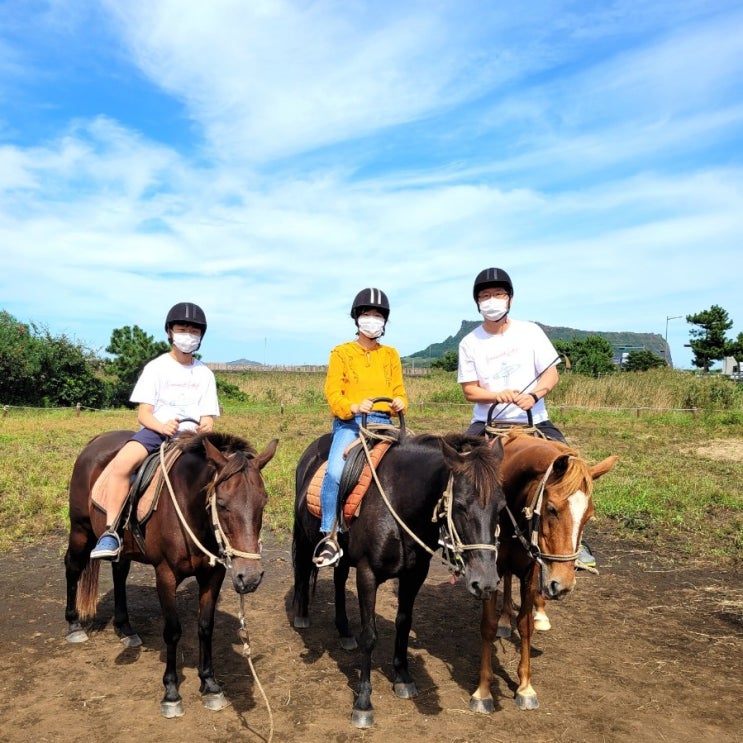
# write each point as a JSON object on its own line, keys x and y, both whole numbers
{"x": 442, "y": 510}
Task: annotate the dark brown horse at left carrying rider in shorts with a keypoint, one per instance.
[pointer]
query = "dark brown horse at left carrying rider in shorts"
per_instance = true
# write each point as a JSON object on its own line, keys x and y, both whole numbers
{"x": 208, "y": 519}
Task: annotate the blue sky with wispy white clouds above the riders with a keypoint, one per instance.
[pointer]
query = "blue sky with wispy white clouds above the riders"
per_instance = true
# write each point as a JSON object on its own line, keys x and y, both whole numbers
{"x": 268, "y": 159}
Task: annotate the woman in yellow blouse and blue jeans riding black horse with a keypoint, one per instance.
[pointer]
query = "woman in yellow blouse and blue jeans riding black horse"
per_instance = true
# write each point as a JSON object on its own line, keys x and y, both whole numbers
{"x": 357, "y": 372}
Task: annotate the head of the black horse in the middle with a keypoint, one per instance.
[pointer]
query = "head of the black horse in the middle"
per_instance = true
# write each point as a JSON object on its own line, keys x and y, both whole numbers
{"x": 474, "y": 508}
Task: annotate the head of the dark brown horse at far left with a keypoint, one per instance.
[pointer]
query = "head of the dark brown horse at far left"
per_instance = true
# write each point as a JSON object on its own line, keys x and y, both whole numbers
{"x": 236, "y": 498}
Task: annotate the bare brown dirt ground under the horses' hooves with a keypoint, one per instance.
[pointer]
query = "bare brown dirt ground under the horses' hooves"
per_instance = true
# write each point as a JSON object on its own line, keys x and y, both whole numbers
{"x": 649, "y": 650}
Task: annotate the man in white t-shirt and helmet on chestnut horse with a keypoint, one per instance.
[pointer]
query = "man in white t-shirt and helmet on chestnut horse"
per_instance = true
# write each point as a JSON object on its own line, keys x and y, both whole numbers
{"x": 505, "y": 362}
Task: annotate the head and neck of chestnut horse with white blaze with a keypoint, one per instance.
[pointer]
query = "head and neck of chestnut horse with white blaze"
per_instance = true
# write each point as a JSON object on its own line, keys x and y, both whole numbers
{"x": 550, "y": 487}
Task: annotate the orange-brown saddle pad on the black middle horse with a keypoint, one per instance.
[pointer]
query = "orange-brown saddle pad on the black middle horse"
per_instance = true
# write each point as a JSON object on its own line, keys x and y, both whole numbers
{"x": 355, "y": 480}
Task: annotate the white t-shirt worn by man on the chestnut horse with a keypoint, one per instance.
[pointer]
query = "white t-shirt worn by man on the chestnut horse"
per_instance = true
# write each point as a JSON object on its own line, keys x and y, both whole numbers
{"x": 510, "y": 360}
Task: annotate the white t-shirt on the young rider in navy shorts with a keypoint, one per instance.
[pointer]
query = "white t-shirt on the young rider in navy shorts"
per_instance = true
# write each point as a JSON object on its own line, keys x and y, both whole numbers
{"x": 176, "y": 390}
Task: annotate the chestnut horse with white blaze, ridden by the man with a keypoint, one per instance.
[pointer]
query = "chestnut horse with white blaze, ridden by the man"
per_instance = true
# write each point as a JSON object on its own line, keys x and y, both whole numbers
{"x": 548, "y": 493}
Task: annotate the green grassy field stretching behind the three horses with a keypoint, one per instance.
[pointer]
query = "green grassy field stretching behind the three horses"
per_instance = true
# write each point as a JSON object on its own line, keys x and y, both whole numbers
{"x": 679, "y": 439}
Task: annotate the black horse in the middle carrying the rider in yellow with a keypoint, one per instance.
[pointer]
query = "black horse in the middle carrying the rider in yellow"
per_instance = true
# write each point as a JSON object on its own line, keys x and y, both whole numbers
{"x": 422, "y": 483}
